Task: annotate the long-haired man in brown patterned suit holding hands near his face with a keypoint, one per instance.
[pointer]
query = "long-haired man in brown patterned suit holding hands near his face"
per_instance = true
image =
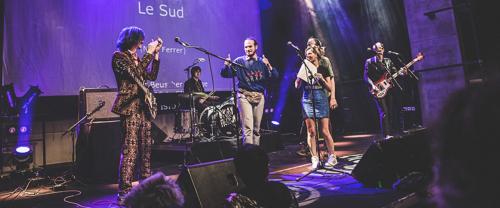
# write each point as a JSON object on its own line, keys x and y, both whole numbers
{"x": 130, "y": 104}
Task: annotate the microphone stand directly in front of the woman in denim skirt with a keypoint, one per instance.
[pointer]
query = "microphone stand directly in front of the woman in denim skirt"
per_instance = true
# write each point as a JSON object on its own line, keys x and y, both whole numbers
{"x": 316, "y": 138}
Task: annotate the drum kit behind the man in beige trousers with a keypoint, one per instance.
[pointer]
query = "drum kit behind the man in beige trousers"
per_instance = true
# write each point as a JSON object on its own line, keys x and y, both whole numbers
{"x": 215, "y": 120}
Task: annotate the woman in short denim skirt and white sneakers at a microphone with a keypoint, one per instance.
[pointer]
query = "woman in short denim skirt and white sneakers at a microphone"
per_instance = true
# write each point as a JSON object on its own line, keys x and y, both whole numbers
{"x": 319, "y": 94}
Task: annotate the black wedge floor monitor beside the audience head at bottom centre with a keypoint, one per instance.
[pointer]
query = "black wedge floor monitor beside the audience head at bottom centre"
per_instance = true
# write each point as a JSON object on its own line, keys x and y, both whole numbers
{"x": 208, "y": 184}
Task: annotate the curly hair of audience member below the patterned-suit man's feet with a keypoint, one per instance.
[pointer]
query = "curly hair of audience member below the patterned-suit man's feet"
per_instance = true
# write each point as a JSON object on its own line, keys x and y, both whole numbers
{"x": 155, "y": 191}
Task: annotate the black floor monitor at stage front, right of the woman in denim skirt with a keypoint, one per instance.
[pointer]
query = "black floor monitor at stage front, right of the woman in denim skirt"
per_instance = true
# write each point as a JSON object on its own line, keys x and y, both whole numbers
{"x": 387, "y": 161}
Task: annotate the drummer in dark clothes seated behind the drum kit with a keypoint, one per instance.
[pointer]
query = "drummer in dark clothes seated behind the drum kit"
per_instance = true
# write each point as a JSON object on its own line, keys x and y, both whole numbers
{"x": 195, "y": 86}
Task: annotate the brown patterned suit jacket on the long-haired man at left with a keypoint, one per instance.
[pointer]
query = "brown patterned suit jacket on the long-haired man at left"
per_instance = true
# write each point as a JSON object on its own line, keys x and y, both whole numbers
{"x": 130, "y": 97}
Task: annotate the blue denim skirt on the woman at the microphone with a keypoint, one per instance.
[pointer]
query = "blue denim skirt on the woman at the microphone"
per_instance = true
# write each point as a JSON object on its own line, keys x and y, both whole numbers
{"x": 321, "y": 103}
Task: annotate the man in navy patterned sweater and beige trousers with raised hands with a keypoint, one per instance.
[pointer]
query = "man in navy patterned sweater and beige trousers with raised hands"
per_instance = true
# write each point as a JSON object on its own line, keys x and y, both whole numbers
{"x": 251, "y": 85}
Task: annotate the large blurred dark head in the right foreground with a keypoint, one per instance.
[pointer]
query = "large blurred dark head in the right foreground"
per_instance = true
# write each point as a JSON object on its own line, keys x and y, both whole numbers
{"x": 465, "y": 149}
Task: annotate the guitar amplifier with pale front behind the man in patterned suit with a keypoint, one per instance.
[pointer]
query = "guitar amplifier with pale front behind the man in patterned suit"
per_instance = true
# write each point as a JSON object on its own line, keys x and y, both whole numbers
{"x": 89, "y": 99}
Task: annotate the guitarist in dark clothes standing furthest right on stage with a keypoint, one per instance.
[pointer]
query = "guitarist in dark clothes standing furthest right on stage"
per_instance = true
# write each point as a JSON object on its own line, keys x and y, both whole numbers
{"x": 375, "y": 68}
